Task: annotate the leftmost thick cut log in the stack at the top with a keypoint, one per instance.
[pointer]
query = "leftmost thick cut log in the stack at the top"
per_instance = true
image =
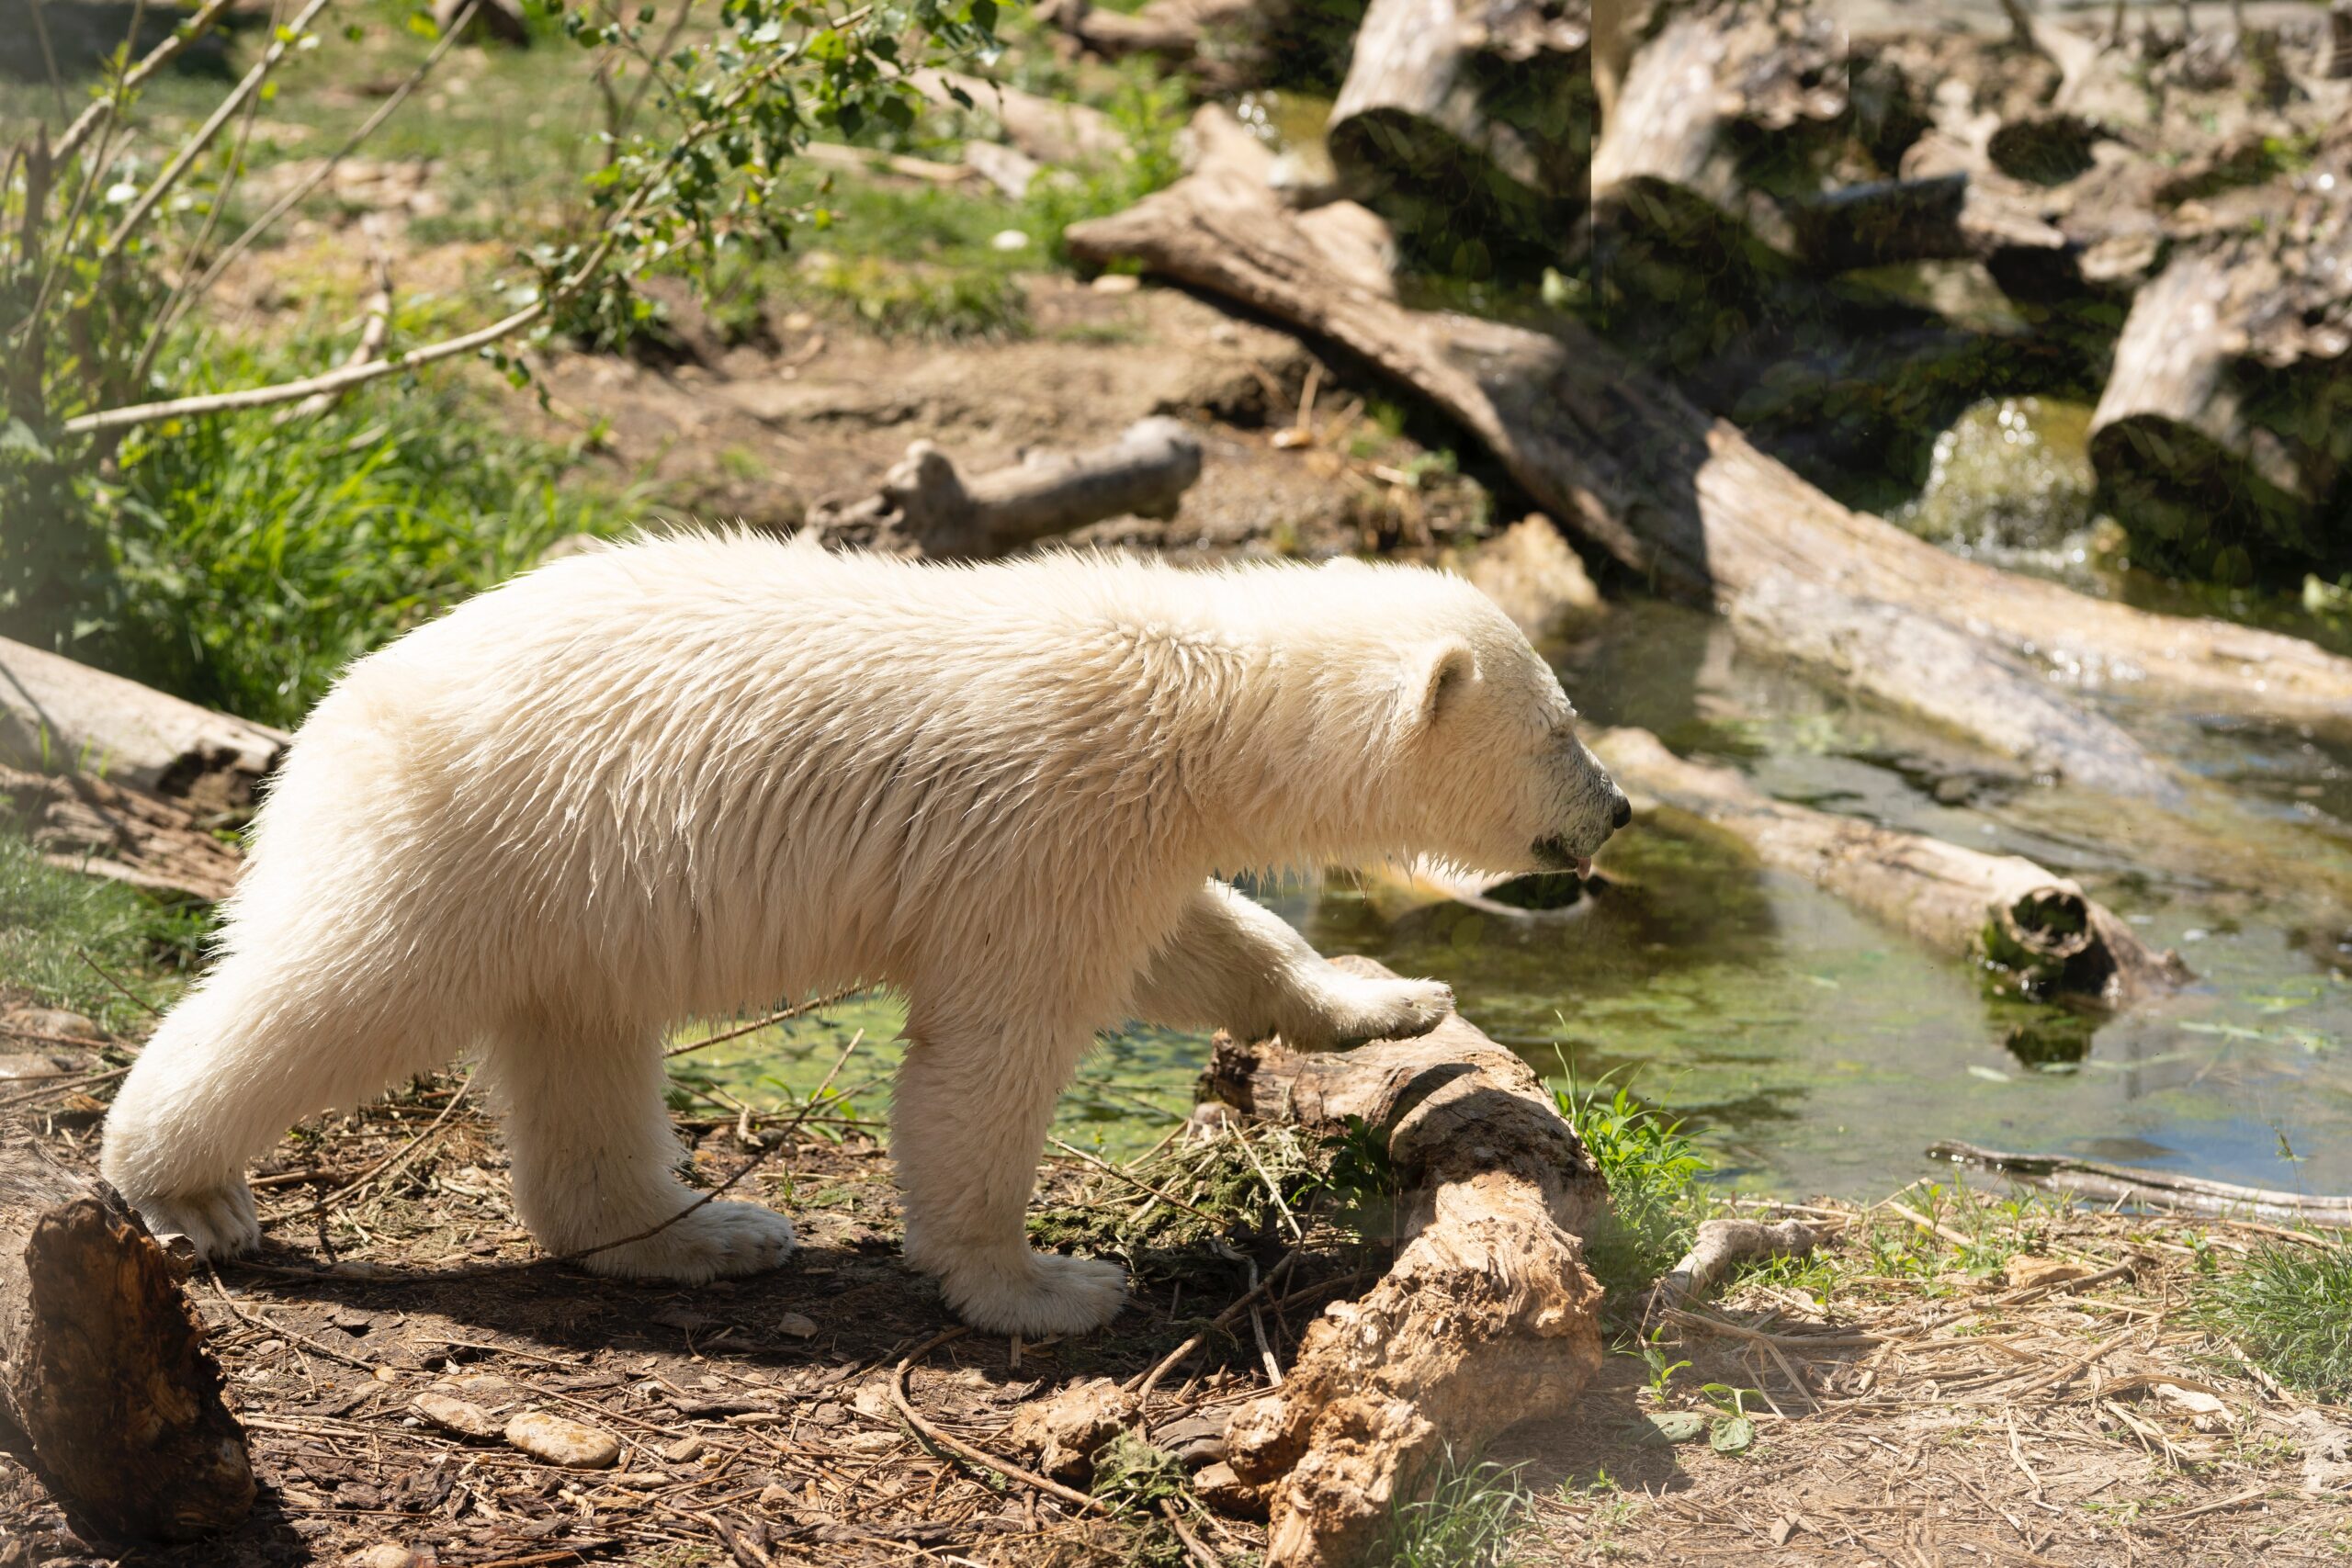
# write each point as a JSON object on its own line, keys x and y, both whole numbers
{"x": 1466, "y": 116}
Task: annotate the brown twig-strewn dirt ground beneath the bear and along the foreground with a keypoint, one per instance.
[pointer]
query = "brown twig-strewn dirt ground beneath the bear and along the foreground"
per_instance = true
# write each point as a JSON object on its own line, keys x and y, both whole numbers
{"x": 1911, "y": 1407}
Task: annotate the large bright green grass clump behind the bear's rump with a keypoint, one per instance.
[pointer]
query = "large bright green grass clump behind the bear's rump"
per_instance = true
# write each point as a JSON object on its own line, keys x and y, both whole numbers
{"x": 250, "y": 561}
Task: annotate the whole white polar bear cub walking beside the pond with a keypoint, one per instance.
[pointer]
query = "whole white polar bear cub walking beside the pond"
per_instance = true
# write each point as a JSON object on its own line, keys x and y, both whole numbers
{"x": 704, "y": 772}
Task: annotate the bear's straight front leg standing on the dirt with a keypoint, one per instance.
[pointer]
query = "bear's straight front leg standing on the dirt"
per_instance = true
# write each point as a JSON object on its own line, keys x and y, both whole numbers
{"x": 968, "y": 1125}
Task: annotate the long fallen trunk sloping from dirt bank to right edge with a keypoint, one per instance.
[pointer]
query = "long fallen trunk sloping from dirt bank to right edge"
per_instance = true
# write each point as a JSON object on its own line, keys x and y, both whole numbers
{"x": 1683, "y": 500}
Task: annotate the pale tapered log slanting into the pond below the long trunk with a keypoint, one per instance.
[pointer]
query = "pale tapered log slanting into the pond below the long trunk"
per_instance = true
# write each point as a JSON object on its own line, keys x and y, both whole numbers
{"x": 1951, "y": 678}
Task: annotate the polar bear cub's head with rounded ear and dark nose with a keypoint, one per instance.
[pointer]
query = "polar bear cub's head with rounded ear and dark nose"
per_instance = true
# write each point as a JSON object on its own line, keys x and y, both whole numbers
{"x": 1485, "y": 768}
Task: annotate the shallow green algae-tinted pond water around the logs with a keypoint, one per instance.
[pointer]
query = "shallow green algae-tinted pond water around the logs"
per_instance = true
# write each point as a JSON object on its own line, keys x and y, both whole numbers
{"x": 1810, "y": 1047}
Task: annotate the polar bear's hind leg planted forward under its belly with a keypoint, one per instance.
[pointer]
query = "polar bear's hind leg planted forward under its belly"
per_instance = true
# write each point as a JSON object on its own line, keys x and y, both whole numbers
{"x": 596, "y": 1160}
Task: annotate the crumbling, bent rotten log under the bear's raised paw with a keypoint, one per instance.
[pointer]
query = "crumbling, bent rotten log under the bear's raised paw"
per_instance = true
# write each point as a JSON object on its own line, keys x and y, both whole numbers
{"x": 1488, "y": 1315}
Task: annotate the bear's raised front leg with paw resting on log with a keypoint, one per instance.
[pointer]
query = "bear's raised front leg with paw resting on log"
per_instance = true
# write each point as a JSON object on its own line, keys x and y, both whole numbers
{"x": 1234, "y": 965}
